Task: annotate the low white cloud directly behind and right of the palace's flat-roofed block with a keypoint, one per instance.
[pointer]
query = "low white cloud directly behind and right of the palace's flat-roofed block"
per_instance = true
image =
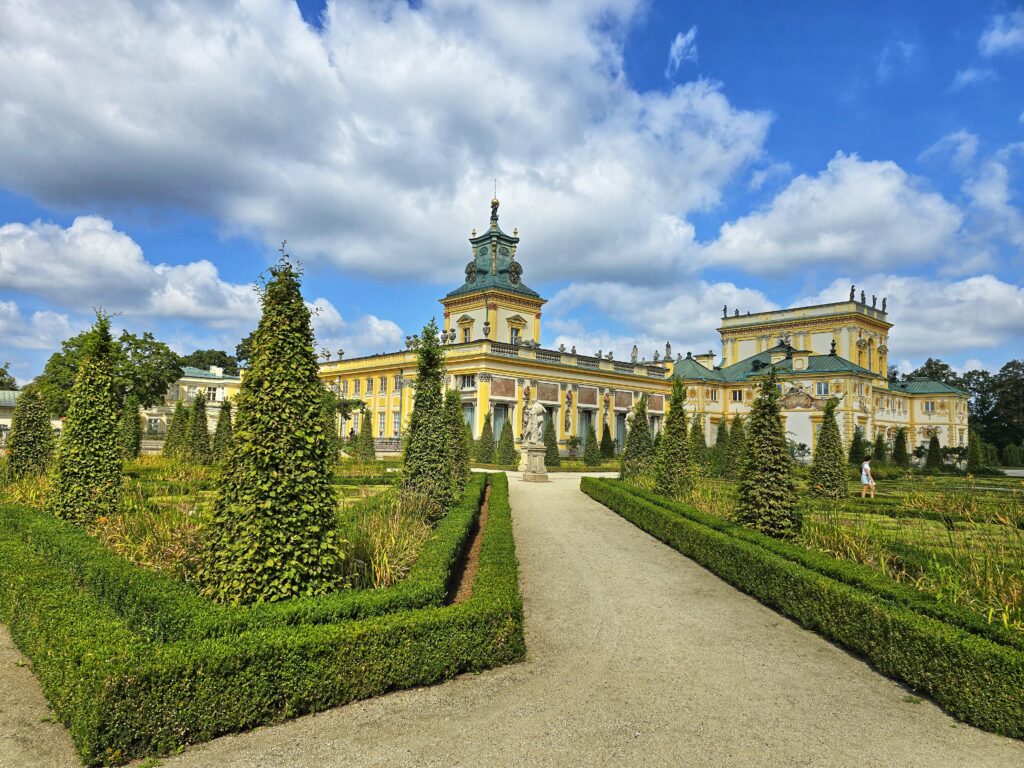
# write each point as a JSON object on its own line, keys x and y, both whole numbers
{"x": 934, "y": 318}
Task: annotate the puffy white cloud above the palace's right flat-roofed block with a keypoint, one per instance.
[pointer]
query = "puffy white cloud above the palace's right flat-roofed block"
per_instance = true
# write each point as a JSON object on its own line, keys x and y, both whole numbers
{"x": 865, "y": 214}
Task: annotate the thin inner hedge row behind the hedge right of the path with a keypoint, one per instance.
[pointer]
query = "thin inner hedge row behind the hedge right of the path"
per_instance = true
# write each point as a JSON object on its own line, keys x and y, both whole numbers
{"x": 858, "y": 575}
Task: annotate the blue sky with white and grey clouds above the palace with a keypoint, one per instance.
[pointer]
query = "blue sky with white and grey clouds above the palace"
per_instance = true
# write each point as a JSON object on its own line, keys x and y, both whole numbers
{"x": 661, "y": 160}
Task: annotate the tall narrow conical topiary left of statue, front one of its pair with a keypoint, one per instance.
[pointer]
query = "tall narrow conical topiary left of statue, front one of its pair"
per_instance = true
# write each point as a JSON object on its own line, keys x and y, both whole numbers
{"x": 429, "y": 443}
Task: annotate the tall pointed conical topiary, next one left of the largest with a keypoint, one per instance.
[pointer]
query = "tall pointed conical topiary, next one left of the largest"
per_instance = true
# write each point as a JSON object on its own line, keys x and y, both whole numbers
{"x": 88, "y": 476}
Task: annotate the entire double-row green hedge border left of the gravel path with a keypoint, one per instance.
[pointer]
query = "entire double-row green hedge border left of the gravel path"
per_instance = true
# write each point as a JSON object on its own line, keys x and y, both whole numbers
{"x": 135, "y": 663}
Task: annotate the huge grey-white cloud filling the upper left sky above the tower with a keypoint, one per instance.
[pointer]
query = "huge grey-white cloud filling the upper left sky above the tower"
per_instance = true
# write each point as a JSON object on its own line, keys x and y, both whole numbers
{"x": 382, "y": 131}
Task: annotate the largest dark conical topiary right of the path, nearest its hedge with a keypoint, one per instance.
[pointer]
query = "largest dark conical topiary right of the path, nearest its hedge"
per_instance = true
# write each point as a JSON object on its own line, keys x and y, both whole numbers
{"x": 767, "y": 498}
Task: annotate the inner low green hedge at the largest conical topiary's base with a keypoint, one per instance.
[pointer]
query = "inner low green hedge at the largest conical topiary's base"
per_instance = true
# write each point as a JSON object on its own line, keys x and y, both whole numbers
{"x": 162, "y": 608}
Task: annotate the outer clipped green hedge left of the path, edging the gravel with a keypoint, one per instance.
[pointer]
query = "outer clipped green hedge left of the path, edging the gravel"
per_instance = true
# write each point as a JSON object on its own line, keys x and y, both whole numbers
{"x": 125, "y": 696}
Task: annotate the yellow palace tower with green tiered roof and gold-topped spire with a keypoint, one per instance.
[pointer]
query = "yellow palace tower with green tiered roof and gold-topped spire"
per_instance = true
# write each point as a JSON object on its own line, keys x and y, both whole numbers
{"x": 494, "y": 304}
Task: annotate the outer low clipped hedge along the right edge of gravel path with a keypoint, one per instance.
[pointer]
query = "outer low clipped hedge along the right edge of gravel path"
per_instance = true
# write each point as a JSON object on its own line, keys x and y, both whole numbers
{"x": 974, "y": 678}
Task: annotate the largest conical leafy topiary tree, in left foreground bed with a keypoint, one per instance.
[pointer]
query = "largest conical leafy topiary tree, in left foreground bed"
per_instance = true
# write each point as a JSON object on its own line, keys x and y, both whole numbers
{"x": 274, "y": 534}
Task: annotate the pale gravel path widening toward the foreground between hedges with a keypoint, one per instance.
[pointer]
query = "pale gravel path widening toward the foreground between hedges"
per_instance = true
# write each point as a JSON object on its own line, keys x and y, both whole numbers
{"x": 637, "y": 657}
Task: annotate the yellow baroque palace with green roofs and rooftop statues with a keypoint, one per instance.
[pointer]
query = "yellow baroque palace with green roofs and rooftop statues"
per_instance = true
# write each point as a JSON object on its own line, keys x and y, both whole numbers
{"x": 492, "y": 333}
